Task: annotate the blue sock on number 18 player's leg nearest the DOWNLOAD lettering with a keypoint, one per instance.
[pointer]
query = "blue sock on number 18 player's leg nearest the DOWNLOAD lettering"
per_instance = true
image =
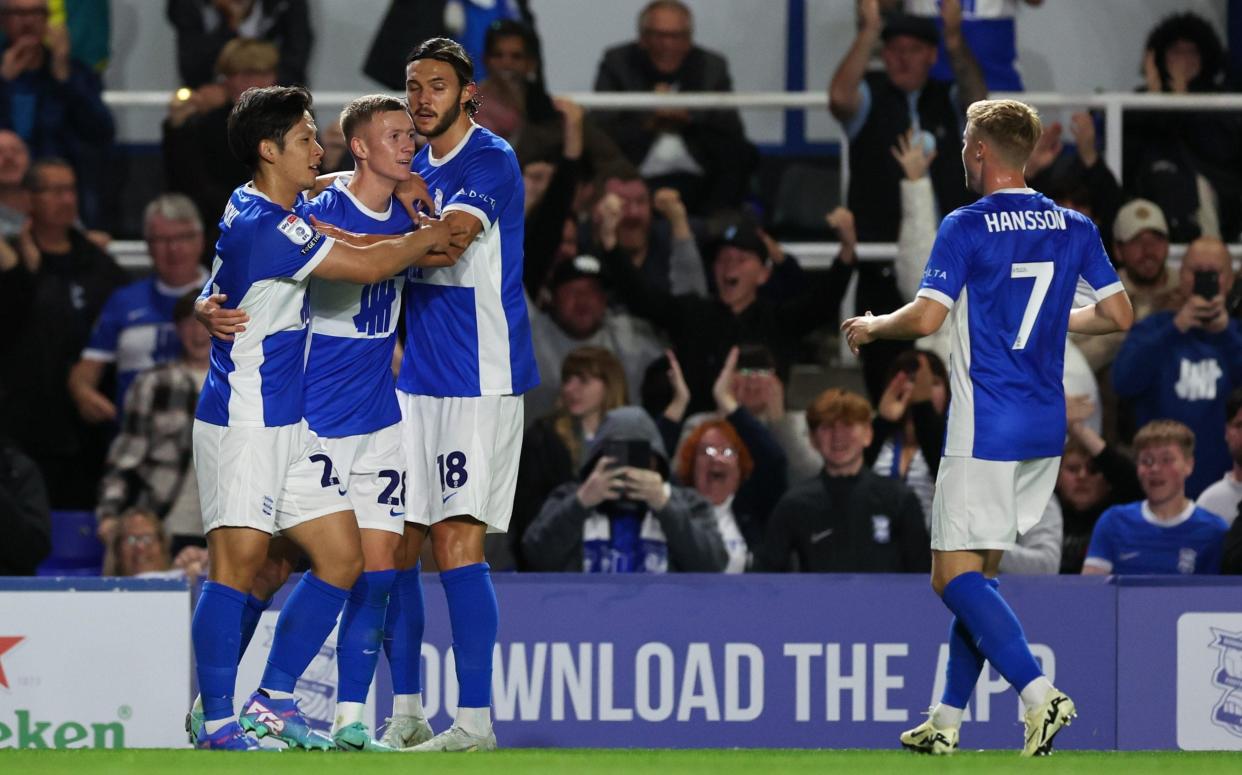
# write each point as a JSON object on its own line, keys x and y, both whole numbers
{"x": 475, "y": 620}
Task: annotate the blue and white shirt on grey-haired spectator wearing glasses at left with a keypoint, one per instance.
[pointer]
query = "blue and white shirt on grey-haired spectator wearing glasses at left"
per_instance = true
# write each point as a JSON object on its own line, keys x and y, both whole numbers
{"x": 136, "y": 330}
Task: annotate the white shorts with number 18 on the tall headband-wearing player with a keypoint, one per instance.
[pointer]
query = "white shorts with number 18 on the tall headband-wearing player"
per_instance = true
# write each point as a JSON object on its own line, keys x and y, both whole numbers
{"x": 463, "y": 458}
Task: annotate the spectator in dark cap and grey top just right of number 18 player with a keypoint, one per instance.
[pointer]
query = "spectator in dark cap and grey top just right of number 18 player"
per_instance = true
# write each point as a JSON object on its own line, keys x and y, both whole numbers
{"x": 578, "y": 317}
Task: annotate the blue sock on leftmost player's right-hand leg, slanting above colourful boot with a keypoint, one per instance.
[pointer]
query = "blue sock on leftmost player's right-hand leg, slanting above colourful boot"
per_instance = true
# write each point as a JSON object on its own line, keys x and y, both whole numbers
{"x": 305, "y": 624}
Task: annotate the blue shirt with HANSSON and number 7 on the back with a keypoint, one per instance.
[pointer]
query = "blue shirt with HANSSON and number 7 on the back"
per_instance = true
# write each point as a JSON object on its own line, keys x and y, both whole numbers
{"x": 1008, "y": 268}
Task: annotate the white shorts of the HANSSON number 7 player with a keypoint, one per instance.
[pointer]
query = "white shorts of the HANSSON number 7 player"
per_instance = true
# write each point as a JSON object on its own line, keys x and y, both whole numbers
{"x": 987, "y": 505}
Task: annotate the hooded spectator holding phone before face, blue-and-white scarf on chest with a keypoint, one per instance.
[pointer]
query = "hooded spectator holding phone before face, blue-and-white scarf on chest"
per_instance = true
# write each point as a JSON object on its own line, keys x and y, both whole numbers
{"x": 625, "y": 516}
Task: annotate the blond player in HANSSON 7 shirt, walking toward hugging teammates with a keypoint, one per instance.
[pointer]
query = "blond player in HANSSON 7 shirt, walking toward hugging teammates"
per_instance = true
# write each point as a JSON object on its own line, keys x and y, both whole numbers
{"x": 1008, "y": 268}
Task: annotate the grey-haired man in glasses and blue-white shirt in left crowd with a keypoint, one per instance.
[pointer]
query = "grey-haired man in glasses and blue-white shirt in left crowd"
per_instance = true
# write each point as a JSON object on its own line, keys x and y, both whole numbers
{"x": 136, "y": 329}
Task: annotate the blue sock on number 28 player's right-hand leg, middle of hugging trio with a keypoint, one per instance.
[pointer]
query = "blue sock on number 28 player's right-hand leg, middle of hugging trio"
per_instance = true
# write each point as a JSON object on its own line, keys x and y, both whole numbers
{"x": 362, "y": 633}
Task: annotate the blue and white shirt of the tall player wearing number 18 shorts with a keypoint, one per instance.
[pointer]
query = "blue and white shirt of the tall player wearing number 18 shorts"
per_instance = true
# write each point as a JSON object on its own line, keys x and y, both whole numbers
{"x": 468, "y": 332}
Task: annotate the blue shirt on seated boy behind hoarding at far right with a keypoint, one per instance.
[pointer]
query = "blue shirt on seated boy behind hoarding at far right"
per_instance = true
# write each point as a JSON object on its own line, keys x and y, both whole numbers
{"x": 1128, "y": 540}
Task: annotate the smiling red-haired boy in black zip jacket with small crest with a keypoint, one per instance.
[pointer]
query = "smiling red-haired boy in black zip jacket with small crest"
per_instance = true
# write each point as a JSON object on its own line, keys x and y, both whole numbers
{"x": 849, "y": 519}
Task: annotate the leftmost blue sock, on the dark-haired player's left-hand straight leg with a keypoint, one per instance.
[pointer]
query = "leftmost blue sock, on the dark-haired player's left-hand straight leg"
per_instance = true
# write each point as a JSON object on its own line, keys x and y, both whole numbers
{"x": 215, "y": 632}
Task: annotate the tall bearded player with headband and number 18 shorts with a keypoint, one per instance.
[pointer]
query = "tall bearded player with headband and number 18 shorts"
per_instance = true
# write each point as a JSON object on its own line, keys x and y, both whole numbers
{"x": 468, "y": 362}
